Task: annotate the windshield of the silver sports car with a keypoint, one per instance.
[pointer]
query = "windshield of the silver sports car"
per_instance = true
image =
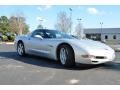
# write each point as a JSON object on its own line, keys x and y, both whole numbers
{"x": 57, "y": 34}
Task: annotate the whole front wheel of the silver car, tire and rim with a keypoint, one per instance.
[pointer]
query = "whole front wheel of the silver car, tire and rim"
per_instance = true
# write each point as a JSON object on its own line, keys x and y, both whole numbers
{"x": 66, "y": 56}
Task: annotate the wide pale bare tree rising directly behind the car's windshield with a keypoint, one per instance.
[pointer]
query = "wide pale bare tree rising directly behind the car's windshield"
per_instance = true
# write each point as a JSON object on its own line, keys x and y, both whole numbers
{"x": 63, "y": 22}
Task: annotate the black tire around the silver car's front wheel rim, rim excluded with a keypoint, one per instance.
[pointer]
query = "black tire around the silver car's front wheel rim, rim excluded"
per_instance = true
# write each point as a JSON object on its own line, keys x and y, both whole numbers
{"x": 70, "y": 59}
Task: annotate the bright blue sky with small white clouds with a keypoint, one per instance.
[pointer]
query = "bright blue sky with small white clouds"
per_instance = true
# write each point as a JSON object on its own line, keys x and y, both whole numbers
{"x": 91, "y": 15}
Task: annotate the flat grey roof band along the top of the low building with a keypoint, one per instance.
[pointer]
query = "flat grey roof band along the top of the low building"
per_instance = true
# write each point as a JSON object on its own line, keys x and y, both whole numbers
{"x": 103, "y": 30}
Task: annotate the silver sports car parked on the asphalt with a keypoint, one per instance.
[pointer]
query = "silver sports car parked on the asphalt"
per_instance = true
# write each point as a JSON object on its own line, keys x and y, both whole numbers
{"x": 57, "y": 45}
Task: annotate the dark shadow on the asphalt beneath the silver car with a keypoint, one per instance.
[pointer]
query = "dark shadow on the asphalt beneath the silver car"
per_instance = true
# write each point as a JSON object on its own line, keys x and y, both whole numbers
{"x": 44, "y": 62}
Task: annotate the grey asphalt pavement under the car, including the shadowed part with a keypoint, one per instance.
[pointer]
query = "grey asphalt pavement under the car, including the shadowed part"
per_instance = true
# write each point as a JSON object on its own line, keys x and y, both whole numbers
{"x": 32, "y": 70}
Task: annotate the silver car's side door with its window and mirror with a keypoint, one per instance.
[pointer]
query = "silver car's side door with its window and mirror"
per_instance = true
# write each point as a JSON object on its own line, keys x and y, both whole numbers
{"x": 37, "y": 43}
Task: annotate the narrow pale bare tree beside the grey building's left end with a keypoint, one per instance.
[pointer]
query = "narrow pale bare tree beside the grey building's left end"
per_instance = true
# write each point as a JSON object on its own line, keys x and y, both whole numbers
{"x": 79, "y": 29}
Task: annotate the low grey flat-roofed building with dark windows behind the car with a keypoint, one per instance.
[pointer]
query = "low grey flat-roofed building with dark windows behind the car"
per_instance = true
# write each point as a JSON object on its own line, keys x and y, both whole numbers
{"x": 102, "y": 34}
